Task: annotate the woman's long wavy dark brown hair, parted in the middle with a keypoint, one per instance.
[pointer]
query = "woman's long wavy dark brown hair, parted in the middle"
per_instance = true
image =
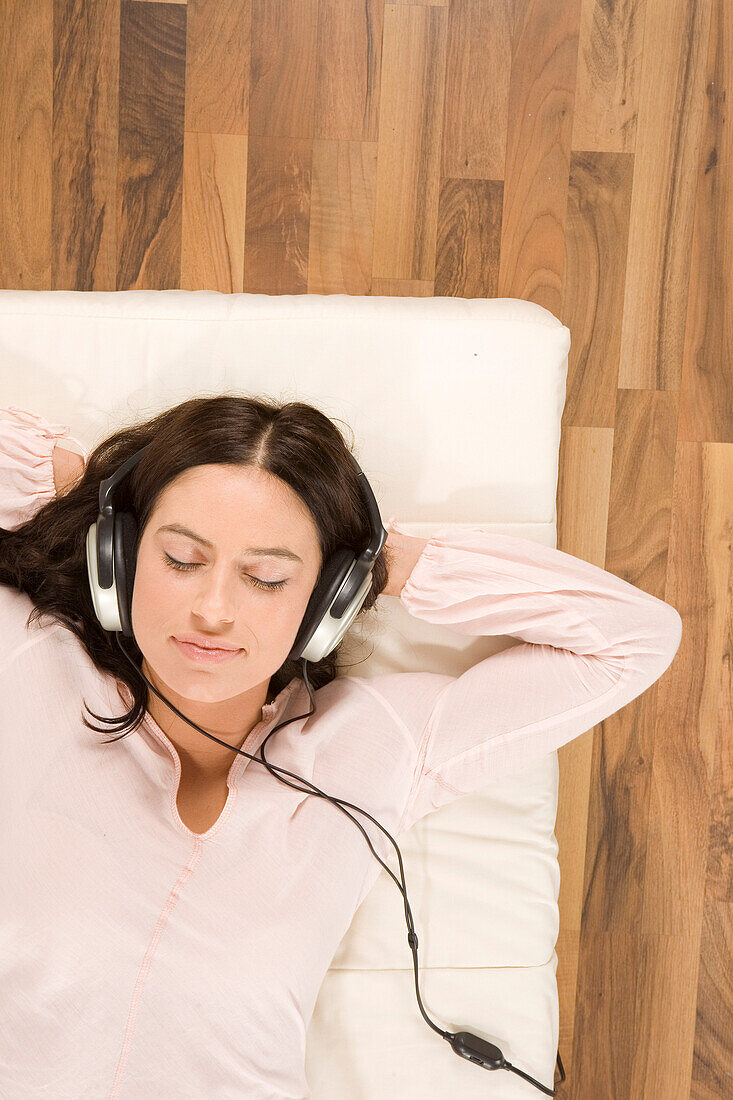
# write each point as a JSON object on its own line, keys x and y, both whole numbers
{"x": 47, "y": 557}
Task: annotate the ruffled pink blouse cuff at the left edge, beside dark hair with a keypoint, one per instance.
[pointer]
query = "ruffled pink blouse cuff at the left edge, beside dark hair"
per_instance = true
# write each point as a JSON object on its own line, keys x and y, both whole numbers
{"x": 27, "y": 469}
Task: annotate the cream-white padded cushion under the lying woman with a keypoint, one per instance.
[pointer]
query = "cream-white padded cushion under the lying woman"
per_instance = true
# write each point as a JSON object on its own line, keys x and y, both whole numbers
{"x": 456, "y": 408}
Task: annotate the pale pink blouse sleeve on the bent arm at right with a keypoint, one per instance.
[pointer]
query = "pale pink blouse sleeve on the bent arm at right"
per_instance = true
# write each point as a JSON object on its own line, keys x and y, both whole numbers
{"x": 592, "y": 643}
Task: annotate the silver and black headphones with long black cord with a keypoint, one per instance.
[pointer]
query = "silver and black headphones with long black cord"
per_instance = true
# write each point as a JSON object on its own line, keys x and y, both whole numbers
{"x": 336, "y": 601}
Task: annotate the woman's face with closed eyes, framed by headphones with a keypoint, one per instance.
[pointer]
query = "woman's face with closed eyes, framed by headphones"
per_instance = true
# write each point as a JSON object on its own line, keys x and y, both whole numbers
{"x": 223, "y": 597}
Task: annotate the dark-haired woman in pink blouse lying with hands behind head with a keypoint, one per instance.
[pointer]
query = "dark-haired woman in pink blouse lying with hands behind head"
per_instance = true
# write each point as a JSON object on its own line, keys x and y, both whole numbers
{"x": 172, "y": 907}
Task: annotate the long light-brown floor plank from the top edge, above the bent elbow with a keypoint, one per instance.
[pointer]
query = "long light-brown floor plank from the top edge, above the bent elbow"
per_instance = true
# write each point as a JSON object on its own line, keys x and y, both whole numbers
{"x": 663, "y": 202}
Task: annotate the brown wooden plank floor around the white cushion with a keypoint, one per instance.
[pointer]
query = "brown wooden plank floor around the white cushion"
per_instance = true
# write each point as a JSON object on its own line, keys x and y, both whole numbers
{"x": 576, "y": 153}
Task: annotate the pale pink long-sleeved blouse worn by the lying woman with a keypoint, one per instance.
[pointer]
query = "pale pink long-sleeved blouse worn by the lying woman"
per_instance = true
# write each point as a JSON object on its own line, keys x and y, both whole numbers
{"x": 140, "y": 960}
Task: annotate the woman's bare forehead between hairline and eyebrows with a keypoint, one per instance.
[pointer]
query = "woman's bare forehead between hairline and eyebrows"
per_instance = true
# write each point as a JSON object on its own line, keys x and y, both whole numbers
{"x": 247, "y": 504}
